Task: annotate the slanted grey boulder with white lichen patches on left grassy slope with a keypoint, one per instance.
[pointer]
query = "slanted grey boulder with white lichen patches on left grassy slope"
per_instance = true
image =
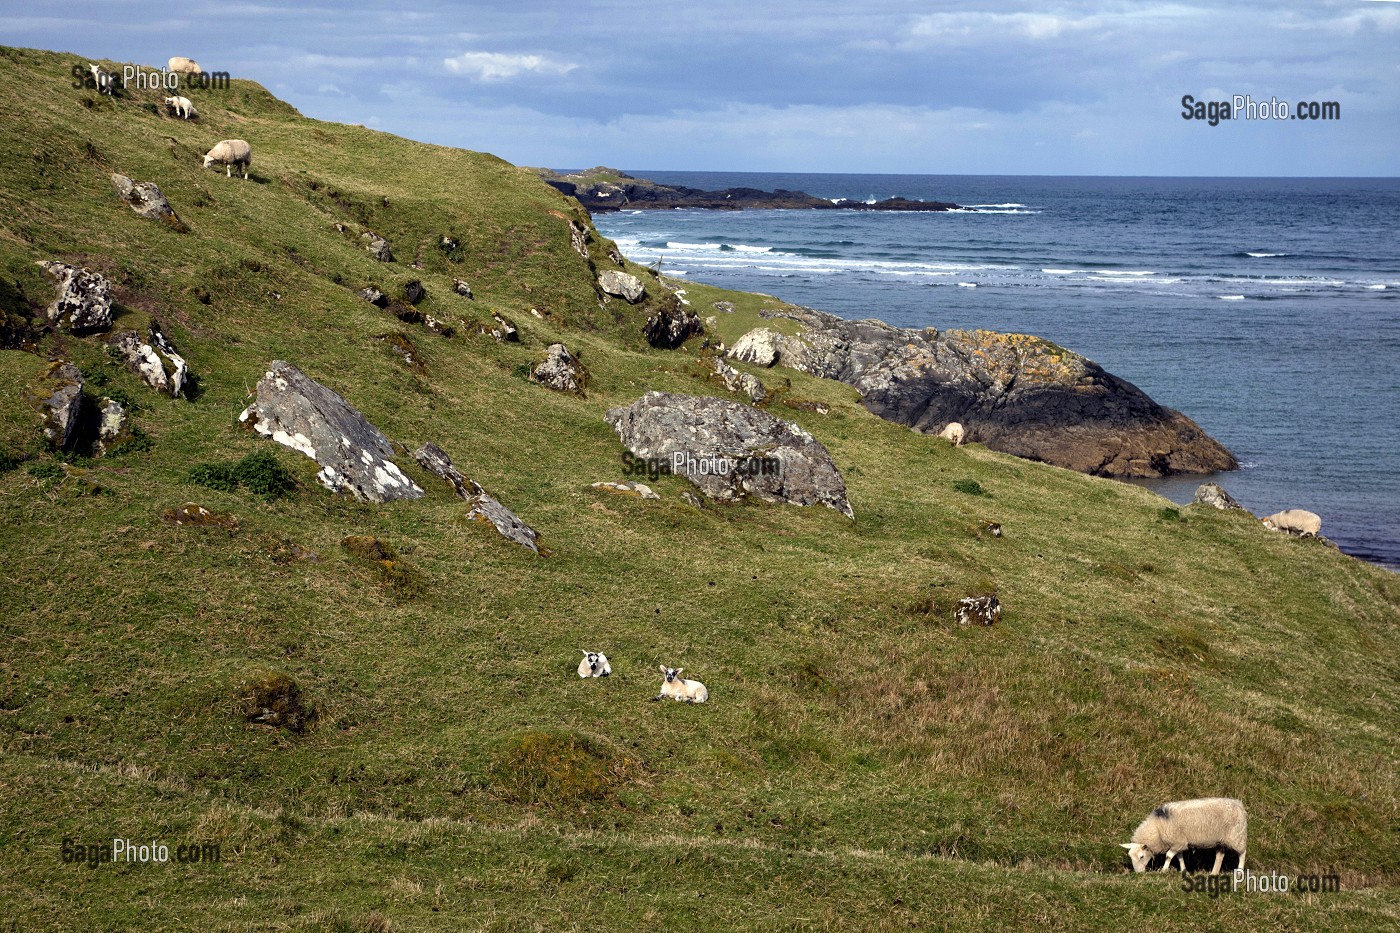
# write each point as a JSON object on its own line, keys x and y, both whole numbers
{"x": 304, "y": 415}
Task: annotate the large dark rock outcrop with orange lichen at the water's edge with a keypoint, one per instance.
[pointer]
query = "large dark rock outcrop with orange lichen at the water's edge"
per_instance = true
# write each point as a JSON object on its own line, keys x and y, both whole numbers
{"x": 1013, "y": 393}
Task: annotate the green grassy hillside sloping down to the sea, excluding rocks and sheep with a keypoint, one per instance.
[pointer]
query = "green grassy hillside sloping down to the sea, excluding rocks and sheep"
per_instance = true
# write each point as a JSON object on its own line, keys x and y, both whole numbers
{"x": 863, "y": 763}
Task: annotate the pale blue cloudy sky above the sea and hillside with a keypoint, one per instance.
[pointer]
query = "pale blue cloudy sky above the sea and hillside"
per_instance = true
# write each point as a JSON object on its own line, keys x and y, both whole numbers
{"x": 800, "y": 86}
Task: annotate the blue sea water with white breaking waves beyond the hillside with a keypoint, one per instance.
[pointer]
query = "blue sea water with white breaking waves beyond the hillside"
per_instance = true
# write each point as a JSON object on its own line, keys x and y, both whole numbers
{"x": 1268, "y": 310}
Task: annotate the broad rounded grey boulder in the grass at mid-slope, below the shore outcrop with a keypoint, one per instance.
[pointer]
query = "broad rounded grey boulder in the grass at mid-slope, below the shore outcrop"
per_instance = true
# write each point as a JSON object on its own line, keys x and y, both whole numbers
{"x": 731, "y": 450}
